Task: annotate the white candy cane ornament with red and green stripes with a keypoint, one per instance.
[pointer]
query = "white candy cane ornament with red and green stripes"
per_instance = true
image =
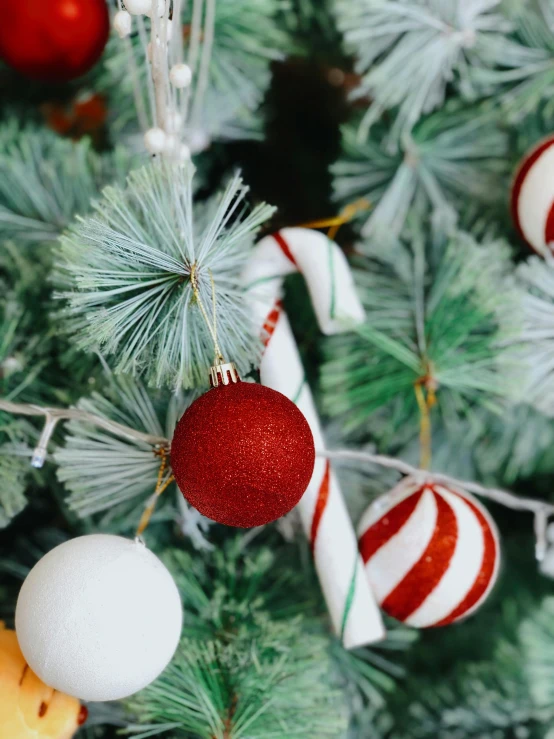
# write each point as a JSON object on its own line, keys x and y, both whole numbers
{"x": 351, "y": 604}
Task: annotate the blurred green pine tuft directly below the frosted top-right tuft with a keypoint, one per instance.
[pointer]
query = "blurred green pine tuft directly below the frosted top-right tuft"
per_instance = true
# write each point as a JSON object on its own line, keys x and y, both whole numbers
{"x": 455, "y": 156}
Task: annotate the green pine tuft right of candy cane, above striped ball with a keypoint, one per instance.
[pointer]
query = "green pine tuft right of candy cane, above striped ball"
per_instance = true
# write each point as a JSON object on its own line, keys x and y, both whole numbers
{"x": 437, "y": 315}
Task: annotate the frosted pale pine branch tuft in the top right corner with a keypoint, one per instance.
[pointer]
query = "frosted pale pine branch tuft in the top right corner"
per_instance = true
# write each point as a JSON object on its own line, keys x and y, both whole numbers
{"x": 408, "y": 53}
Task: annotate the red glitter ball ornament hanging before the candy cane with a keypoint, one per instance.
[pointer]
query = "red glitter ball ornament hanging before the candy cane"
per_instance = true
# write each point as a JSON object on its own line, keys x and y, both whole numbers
{"x": 242, "y": 454}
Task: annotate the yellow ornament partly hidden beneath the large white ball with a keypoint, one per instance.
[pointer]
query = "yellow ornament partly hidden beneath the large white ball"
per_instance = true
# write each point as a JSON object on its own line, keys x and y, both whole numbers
{"x": 29, "y": 709}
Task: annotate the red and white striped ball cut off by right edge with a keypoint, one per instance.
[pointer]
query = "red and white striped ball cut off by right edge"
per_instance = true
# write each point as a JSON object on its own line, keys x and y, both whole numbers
{"x": 532, "y": 198}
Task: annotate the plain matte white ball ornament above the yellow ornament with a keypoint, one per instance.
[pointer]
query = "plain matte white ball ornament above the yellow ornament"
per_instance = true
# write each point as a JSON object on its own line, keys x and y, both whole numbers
{"x": 99, "y": 617}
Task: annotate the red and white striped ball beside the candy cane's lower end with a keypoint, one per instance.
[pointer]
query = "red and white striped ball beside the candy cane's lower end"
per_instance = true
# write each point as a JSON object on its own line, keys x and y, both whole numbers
{"x": 431, "y": 553}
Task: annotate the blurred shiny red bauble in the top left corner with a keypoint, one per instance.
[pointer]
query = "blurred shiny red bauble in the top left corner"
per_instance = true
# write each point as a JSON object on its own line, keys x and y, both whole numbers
{"x": 53, "y": 40}
